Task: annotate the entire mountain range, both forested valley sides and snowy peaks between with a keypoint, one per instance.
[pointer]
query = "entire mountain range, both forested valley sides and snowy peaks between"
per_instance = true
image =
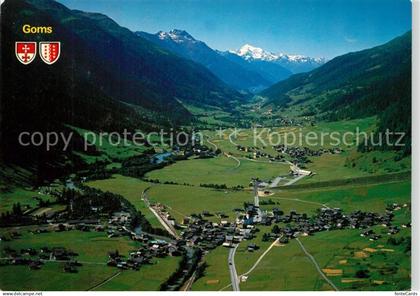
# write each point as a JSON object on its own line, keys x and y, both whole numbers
{"x": 109, "y": 78}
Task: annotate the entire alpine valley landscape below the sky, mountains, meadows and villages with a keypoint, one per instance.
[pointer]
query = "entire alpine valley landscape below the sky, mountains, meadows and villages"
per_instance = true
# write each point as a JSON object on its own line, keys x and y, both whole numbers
{"x": 204, "y": 200}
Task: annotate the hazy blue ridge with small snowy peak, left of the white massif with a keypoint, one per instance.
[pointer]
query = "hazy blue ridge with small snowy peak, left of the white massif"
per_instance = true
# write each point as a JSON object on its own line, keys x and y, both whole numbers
{"x": 185, "y": 45}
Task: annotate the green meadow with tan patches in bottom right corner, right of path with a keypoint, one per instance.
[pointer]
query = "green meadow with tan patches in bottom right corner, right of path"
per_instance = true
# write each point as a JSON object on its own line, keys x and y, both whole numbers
{"x": 349, "y": 252}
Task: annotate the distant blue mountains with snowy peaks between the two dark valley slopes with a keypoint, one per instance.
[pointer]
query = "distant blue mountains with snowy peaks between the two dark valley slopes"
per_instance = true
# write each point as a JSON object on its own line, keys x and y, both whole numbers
{"x": 247, "y": 69}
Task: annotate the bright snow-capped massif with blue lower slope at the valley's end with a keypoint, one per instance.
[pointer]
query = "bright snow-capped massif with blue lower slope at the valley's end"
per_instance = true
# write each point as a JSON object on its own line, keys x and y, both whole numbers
{"x": 294, "y": 63}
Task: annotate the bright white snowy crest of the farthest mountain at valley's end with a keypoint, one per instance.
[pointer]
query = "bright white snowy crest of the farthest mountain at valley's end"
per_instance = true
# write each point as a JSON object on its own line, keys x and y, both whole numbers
{"x": 250, "y": 52}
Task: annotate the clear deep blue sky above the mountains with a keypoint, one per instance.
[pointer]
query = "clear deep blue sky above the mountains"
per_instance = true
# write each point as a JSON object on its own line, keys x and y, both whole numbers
{"x": 317, "y": 28}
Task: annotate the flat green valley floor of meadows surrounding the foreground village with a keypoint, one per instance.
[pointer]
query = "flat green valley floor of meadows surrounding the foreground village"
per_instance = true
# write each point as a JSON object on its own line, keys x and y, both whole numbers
{"x": 341, "y": 255}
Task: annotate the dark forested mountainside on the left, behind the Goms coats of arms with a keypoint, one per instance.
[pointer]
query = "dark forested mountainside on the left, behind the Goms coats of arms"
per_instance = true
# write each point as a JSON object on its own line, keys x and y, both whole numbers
{"x": 107, "y": 78}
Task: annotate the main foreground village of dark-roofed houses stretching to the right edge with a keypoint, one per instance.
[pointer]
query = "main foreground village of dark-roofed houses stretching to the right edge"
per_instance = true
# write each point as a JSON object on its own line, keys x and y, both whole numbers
{"x": 198, "y": 231}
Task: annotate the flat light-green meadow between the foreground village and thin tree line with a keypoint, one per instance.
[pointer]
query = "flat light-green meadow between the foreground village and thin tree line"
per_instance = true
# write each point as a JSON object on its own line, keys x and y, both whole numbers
{"x": 183, "y": 201}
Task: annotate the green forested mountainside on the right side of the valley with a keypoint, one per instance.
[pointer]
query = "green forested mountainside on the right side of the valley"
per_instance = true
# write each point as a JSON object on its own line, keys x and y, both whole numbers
{"x": 374, "y": 81}
